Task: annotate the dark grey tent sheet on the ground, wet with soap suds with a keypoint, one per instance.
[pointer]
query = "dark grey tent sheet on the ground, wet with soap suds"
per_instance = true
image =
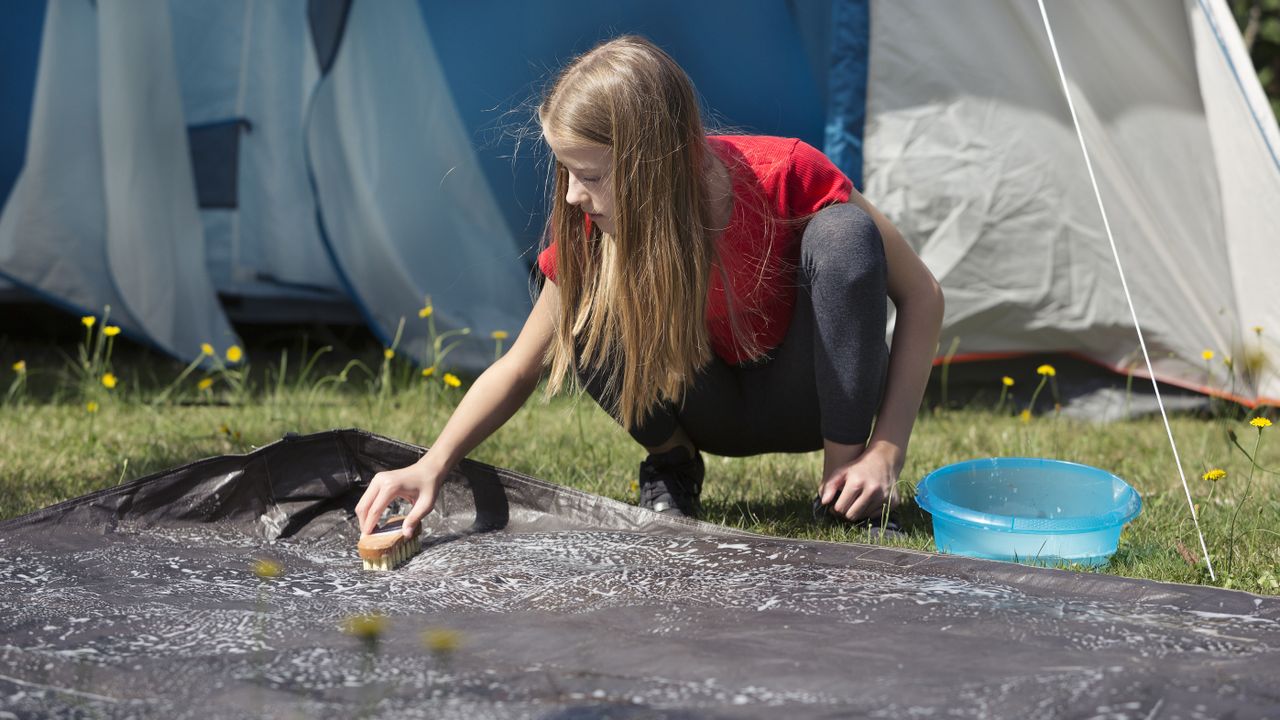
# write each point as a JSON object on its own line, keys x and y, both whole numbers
{"x": 141, "y": 601}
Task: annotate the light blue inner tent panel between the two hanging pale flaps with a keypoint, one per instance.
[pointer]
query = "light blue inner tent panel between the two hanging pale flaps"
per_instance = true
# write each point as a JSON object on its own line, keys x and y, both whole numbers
{"x": 255, "y": 62}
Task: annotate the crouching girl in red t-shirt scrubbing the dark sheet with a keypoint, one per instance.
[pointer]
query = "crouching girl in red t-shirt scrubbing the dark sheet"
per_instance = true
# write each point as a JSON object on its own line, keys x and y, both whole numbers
{"x": 720, "y": 294}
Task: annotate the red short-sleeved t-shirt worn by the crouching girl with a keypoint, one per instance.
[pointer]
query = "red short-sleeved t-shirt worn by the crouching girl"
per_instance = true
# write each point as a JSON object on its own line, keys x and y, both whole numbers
{"x": 775, "y": 180}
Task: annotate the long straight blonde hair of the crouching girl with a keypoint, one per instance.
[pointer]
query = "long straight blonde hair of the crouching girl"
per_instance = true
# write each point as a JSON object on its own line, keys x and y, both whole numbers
{"x": 633, "y": 303}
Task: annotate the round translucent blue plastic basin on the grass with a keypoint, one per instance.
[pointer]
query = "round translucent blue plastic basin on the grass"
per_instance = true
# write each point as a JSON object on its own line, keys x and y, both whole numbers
{"x": 1028, "y": 511}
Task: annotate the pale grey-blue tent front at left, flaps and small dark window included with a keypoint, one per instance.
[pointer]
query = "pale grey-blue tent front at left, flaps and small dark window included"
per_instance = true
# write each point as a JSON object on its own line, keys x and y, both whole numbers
{"x": 117, "y": 208}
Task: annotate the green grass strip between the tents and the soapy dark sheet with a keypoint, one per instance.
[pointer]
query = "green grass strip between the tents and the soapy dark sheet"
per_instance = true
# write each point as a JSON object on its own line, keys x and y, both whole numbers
{"x": 54, "y": 449}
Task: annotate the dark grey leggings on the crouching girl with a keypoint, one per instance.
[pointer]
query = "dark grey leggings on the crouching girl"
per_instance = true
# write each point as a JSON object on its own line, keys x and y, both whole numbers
{"x": 826, "y": 379}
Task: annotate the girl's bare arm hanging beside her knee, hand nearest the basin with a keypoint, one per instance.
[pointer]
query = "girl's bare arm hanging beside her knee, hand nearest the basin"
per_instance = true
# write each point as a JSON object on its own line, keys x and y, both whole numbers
{"x": 865, "y": 476}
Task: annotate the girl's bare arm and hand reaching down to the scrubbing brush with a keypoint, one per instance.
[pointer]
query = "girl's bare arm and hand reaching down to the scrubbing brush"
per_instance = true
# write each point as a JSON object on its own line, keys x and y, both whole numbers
{"x": 493, "y": 399}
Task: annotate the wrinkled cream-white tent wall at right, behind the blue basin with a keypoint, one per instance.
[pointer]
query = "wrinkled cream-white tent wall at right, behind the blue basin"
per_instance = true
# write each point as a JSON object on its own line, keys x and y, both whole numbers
{"x": 977, "y": 162}
